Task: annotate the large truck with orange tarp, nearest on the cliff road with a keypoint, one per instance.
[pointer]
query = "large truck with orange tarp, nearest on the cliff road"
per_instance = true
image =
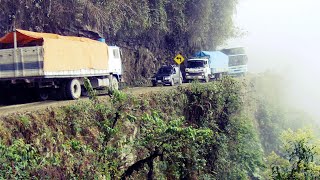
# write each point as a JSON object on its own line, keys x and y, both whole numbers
{"x": 49, "y": 64}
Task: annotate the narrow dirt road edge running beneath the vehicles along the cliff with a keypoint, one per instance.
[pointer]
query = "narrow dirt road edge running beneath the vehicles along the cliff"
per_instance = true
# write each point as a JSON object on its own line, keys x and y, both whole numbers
{"x": 34, "y": 106}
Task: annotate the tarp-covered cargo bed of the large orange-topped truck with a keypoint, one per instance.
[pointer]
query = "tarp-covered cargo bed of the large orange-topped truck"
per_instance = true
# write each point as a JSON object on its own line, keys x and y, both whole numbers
{"x": 52, "y": 56}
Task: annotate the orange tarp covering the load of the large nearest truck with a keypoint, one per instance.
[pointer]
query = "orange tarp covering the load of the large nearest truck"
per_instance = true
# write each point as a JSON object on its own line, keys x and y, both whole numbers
{"x": 74, "y": 55}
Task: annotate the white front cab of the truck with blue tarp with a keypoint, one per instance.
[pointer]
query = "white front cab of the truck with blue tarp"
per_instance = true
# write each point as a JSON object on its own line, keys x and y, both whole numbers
{"x": 198, "y": 68}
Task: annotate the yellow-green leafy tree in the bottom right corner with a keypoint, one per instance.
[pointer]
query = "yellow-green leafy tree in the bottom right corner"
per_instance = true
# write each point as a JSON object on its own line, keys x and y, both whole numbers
{"x": 299, "y": 158}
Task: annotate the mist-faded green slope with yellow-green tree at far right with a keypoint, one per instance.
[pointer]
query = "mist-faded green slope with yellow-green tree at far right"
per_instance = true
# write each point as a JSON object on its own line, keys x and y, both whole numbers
{"x": 291, "y": 154}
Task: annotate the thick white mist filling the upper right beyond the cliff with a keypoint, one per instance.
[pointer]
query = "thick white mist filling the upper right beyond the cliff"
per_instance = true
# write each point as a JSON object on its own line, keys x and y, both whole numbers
{"x": 283, "y": 36}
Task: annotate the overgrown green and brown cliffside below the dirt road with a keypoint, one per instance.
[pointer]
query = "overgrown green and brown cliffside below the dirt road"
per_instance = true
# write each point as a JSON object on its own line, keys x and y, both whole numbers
{"x": 197, "y": 131}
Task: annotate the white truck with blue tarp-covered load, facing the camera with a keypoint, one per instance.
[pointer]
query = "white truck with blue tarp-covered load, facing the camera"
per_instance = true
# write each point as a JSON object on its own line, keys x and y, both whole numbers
{"x": 206, "y": 65}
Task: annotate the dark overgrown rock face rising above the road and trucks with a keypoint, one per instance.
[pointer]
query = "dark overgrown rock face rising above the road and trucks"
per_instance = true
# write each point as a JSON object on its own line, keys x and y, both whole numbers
{"x": 150, "y": 32}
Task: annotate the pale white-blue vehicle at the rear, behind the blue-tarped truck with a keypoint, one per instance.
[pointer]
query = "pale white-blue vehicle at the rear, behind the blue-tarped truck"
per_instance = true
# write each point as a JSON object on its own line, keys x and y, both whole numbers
{"x": 237, "y": 61}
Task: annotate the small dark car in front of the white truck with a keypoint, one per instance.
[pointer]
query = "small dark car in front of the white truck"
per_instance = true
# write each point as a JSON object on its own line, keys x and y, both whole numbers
{"x": 167, "y": 75}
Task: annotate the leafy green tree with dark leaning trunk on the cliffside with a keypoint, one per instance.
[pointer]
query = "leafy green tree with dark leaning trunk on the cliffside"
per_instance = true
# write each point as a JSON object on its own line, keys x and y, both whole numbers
{"x": 171, "y": 143}
